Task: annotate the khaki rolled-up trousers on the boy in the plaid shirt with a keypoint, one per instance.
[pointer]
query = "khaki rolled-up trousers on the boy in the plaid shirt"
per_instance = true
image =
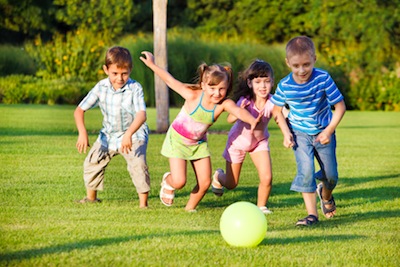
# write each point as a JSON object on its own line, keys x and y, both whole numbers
{"x": 99, "y": 157}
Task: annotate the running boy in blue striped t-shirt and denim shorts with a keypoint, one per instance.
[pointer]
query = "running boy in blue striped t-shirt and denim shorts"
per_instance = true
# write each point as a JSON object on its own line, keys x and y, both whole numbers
{"x": 310, "y": 92}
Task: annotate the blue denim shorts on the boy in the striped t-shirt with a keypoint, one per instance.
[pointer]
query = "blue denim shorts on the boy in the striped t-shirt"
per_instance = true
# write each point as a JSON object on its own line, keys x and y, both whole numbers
{"x": 305, "y": 151}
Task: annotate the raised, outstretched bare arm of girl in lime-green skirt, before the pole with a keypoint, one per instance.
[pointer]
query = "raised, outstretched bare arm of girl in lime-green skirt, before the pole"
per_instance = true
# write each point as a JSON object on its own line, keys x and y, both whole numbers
{"x": 171, "y": 82}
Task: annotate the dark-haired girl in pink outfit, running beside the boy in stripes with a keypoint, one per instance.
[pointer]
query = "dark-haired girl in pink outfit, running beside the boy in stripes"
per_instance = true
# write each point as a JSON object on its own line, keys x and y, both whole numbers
{"x": 255, "y": 85}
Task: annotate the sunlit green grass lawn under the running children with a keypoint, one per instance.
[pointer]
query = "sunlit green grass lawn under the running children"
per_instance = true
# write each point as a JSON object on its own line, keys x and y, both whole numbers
{"x": 41, "y": 176}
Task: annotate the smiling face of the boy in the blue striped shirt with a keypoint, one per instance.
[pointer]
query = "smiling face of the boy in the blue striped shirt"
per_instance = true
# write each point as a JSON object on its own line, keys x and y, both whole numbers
{"x": 301, "y": 66}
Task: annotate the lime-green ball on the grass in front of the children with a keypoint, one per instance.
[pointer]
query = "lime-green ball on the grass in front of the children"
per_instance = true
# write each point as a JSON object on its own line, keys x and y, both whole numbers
{"x": 243, "y": 224}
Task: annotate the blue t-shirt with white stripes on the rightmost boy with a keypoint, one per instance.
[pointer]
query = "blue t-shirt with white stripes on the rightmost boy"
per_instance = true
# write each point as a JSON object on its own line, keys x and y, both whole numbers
{"x": 309, "y": 103}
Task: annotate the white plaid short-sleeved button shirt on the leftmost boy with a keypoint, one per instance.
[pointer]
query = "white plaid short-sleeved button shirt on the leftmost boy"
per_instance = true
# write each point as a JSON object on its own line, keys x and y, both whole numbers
{"x": 119, "y": 108}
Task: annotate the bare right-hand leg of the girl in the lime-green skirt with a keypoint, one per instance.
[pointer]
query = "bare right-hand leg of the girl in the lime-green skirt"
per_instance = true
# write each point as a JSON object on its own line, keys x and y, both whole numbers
{"x": 202, "y": 170}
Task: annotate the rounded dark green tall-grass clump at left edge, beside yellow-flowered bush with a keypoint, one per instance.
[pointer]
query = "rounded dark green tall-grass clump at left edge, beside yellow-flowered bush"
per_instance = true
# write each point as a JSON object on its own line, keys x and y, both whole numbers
{"x": 15, "y": 60}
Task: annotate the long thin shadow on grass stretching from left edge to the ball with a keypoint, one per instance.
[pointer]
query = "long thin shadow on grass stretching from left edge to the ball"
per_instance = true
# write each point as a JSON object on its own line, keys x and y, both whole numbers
{"x": 87, "y": 244}
